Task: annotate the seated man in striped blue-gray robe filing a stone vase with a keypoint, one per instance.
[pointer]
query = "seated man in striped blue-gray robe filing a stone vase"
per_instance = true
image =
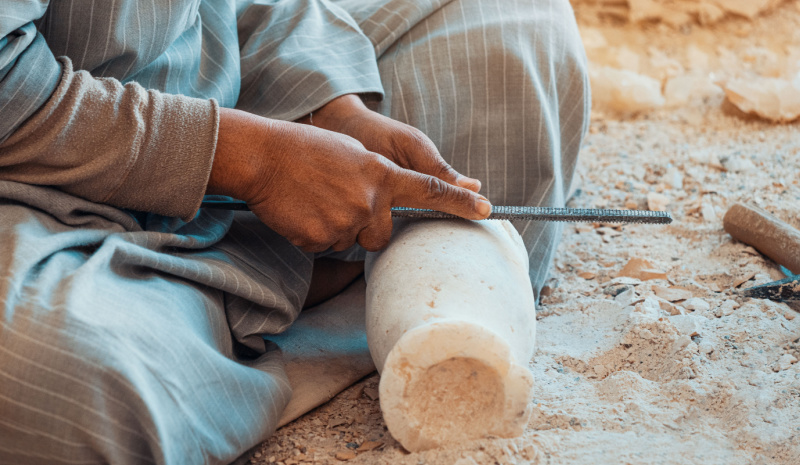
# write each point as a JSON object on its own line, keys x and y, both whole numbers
{"x": 132, "y": 322}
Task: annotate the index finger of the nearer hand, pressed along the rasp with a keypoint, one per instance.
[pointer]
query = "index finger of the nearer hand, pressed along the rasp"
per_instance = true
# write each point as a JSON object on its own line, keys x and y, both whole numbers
{"x": 417, "y": 190}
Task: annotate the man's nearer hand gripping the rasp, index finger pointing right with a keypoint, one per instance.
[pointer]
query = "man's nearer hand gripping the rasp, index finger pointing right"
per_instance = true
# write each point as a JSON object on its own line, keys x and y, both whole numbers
{"x": 322, "y": 189}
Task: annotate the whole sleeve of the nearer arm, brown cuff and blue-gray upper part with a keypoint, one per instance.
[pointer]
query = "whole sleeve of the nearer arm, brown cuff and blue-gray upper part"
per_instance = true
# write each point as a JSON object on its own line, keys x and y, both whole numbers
{"x": 94, "y": 137}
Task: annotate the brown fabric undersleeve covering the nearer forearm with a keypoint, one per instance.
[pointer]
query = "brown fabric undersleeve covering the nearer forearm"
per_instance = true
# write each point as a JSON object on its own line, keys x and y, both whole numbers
{"x": 122, "y": 145}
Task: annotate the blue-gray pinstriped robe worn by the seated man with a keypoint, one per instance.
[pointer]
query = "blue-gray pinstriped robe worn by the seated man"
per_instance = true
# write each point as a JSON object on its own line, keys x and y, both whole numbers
{"x": 130, "y": 338}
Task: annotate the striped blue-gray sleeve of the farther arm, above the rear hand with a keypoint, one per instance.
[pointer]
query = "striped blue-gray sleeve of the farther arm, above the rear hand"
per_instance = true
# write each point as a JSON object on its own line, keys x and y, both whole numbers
{"x": 297, "y": 55}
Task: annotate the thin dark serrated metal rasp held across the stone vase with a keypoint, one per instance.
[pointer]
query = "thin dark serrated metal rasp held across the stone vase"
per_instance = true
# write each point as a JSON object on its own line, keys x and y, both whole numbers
{"x": 511, "y": 213}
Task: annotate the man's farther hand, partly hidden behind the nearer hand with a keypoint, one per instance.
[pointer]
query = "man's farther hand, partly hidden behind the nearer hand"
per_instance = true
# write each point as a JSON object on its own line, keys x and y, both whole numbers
{"x": 405, "y": 145}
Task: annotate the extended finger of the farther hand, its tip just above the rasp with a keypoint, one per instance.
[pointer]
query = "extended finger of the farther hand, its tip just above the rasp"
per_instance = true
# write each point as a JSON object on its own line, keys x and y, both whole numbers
{"x": 422, "y": 155}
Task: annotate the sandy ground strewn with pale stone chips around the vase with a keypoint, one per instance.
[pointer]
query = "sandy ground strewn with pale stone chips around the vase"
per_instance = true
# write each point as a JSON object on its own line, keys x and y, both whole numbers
{"x": 622, "y": 374}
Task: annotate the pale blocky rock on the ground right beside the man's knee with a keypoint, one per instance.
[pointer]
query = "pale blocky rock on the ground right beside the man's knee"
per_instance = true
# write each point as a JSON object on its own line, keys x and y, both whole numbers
{"x": 624, "y": 91}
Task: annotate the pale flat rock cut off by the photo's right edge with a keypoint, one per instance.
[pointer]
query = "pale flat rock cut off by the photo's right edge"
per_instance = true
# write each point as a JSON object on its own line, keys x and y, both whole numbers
{"x": 774, "y": 99}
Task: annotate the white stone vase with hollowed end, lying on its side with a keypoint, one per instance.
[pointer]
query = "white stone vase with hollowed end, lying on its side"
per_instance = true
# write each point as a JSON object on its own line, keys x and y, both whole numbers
{"x": 451, "y": 327}
